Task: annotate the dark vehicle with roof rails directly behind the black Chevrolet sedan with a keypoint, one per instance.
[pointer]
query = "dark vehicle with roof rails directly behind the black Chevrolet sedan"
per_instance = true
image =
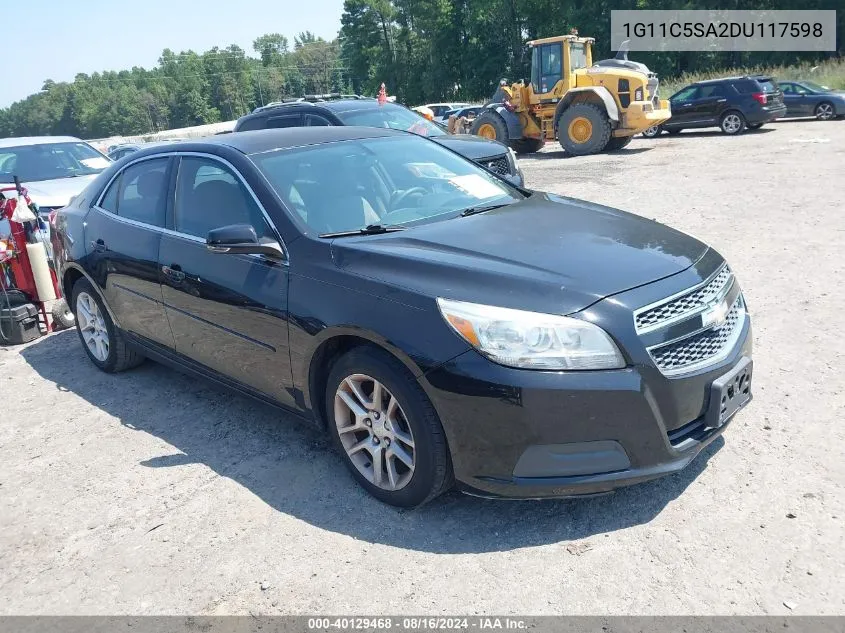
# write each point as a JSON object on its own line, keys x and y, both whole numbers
{"x": 495, "y": 156}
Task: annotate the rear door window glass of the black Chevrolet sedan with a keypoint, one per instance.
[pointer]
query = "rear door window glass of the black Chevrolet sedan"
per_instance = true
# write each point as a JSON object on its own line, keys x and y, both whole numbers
{"x": 141, "y": 192}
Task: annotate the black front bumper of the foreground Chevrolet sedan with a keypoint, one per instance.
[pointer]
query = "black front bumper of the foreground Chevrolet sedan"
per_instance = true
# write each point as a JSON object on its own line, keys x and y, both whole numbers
{"x": 535, "y": 434}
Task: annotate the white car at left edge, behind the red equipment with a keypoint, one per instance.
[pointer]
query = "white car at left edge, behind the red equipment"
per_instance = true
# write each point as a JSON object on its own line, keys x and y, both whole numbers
{"x": 53, "y": 169}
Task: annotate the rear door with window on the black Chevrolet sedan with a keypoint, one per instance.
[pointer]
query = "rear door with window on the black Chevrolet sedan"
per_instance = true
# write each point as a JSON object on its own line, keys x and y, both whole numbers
{"x": 124, "y": 234}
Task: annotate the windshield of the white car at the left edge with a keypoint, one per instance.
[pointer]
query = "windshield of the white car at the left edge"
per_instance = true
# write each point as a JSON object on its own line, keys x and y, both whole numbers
{"x": 49, "y": 161}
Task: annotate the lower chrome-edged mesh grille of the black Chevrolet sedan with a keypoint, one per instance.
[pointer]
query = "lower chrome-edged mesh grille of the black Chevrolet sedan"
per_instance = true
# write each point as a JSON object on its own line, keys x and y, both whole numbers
{"x": 703, "y": 347}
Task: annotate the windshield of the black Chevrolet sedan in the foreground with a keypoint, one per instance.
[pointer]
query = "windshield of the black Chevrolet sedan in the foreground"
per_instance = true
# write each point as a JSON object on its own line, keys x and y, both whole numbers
{"x": 348, "y": 185}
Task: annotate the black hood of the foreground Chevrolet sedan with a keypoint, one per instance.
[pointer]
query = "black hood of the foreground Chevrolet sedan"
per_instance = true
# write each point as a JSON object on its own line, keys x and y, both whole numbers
{"x": 546, "y": 253}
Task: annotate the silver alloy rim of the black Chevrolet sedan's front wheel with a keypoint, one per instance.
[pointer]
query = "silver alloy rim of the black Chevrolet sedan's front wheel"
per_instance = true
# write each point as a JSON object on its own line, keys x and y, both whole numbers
{"x": 374, "y": 432}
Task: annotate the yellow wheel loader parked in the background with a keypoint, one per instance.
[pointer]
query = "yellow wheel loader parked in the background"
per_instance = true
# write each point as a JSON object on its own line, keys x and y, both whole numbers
{"x": 588, "y": 108}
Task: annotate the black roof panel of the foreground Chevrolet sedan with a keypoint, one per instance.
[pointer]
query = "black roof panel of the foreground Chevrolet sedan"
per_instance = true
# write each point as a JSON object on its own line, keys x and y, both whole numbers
{"x": 257, "y": 141}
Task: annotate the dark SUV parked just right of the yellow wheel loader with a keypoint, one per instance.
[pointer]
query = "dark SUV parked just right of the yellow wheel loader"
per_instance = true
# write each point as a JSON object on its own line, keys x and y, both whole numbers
{"x": 732, "y": 104}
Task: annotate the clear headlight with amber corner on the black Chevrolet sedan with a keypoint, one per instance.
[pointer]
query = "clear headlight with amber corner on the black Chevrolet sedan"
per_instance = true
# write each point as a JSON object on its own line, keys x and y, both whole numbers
{"x": 531, "y": 340}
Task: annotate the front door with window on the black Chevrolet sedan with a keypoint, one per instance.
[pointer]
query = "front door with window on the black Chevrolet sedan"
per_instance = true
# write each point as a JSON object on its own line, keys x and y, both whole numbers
{"x": 228, "y": 312}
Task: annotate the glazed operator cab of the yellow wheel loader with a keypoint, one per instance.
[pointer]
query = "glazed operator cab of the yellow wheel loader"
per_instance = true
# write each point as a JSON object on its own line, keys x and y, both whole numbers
{"x": 554, "y": 60}
